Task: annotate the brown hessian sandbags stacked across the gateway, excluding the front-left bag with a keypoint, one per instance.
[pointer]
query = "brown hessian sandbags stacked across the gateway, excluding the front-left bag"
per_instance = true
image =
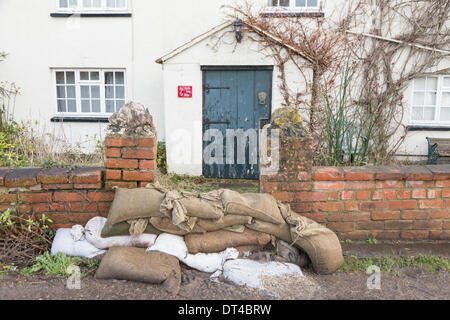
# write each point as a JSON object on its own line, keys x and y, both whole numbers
{"x": 212, "y": 222}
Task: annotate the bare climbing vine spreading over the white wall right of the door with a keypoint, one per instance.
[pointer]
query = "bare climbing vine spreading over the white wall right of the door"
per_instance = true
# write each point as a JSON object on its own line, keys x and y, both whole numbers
{"x": 372, "y": 48}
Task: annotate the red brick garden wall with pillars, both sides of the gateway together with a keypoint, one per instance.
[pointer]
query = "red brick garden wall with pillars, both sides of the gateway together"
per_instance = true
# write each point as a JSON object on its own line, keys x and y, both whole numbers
{"x": 408, "y": 203}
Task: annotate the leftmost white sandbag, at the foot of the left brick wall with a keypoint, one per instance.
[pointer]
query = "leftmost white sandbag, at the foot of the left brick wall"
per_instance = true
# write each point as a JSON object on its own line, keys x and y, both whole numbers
{"x": 64, "y": 243}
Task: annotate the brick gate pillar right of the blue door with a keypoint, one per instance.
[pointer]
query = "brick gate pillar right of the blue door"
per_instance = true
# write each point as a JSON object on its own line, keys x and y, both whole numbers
{"x": 294, "y": 174}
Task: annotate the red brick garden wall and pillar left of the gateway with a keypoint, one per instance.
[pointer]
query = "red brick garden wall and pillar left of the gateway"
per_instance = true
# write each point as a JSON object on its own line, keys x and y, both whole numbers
{"x": 74, "y": 196}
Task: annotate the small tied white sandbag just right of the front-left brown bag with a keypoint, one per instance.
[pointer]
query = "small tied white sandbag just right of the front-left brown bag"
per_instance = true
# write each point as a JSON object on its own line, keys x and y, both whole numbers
{"x": 210, "y": 262}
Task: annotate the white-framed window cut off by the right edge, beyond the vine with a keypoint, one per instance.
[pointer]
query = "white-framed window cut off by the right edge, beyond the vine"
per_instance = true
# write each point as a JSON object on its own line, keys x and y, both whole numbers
{"x": 431, "y": 100}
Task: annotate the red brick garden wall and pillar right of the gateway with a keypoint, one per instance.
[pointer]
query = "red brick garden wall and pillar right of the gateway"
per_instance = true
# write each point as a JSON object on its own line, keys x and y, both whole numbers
{"x": 388, "y": 203}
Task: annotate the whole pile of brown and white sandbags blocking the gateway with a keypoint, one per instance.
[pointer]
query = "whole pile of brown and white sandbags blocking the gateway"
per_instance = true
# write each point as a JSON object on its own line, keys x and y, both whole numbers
{"x": 204, "y": 231}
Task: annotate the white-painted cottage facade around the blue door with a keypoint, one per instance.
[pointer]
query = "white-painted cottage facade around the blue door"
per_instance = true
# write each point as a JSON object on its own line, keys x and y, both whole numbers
{"x": 78, "y": 61}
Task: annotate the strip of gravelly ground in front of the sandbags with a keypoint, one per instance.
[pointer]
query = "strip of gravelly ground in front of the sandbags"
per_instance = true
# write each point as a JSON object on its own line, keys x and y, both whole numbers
{"x": 407, "y": 284}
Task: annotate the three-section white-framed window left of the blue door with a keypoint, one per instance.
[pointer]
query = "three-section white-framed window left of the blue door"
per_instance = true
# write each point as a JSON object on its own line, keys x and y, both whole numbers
{"x": 89, "y": 92}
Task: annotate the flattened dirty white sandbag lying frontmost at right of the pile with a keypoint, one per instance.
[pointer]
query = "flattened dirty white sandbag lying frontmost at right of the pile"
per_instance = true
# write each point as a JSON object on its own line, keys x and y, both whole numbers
{"x": 252, "y": 273}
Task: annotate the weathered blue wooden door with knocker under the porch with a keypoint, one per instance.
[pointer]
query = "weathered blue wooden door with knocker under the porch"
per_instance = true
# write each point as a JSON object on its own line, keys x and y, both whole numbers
{"x": 236, "y": 98}
